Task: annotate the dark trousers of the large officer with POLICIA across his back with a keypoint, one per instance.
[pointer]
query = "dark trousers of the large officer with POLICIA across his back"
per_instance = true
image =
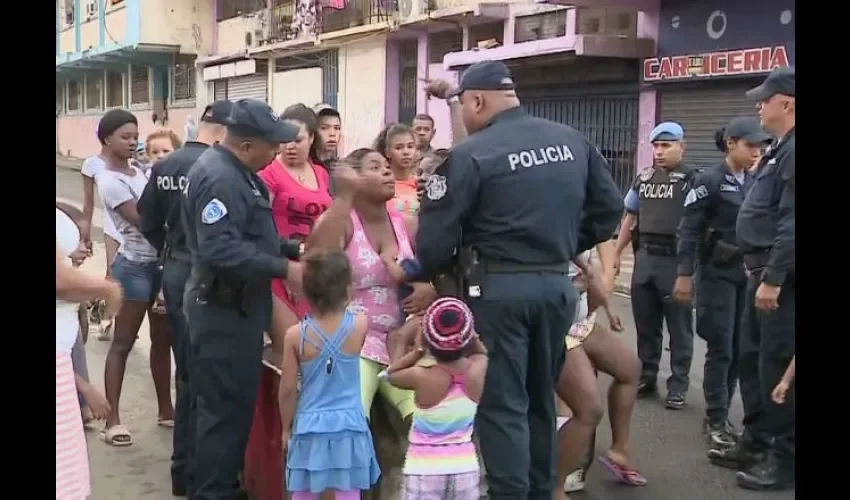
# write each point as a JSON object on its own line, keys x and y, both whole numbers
{"x": 522, "y": 320}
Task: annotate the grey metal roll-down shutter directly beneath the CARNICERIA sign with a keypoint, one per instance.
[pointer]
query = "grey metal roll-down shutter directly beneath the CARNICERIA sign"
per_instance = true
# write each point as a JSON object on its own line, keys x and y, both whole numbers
{"x": 701, "y": 110}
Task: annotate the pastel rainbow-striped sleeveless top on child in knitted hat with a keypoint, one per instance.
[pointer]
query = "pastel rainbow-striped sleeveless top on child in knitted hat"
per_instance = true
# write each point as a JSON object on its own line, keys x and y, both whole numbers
{"x": 441, "y": 436}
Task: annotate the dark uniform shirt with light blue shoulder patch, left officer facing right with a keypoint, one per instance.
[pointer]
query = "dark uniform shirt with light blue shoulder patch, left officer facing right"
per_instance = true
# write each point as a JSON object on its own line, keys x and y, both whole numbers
{"x": 228, "y": 220}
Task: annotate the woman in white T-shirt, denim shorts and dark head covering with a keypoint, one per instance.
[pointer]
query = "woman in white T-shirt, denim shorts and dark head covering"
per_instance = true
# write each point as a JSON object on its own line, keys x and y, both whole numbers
{"x": 136, "y": 268}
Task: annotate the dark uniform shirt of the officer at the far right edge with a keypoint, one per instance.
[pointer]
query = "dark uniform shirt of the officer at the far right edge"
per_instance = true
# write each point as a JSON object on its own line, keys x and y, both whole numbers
{"x": 767, "y": 220}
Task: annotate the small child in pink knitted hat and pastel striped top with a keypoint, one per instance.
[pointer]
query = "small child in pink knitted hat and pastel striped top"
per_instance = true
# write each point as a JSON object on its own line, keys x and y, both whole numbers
{"x": 441, "y": 462}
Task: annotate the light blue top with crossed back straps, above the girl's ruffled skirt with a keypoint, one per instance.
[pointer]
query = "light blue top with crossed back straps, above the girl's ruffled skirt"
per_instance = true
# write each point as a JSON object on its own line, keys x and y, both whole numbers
{"x": 329, "y": 399}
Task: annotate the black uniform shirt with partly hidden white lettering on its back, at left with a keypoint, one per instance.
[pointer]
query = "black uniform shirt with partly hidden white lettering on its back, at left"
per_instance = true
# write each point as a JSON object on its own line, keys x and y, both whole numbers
{"x": 160, "y": 203}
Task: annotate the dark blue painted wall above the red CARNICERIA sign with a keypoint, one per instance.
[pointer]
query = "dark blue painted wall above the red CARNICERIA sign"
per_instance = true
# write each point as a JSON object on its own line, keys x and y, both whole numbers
{"x": 699, "y": 26}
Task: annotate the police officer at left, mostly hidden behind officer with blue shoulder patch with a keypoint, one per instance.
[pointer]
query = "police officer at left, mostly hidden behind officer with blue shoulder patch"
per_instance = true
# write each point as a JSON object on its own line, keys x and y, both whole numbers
{"x": 159, "y": 209}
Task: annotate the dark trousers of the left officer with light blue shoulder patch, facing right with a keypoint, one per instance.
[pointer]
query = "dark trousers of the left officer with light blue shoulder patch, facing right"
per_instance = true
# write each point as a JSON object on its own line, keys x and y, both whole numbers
{"x": 227, "y": 352}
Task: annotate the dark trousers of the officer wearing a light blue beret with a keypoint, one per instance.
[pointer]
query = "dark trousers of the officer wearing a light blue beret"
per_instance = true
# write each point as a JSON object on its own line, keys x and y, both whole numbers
{"x": 652, "y": 304}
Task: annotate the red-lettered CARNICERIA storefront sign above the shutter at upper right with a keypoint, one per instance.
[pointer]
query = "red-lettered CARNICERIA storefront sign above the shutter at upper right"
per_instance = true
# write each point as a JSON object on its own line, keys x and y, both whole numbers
{"x": 729, "y": 62}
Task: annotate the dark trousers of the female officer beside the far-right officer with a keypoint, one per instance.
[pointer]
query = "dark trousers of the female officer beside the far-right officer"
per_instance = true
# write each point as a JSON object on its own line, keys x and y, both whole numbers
{"x": 720, "y": 293}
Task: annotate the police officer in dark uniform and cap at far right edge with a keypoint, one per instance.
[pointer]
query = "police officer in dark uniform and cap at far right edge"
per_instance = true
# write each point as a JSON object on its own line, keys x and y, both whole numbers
{"x": 766, "y": 232}
